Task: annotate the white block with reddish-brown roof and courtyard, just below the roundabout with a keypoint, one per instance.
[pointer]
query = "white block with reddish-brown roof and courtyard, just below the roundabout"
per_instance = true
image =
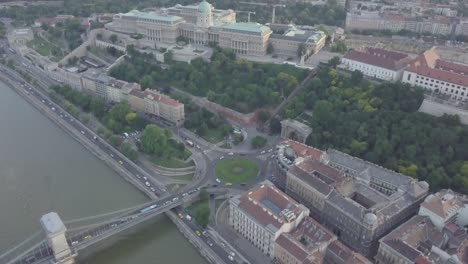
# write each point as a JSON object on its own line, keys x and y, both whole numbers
{"x": 262, "y": 214}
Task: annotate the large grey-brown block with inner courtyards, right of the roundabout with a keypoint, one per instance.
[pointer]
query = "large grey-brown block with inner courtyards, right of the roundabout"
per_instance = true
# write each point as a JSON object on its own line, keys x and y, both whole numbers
{"x": 357, "y": 200}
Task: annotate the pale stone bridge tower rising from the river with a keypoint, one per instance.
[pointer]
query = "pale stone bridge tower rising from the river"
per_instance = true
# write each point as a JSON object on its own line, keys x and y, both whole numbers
{"x": 55, "y": 231}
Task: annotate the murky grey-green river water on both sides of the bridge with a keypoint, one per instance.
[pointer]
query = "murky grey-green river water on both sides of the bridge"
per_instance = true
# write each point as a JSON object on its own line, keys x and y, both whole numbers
{"x": 42, "y": 169}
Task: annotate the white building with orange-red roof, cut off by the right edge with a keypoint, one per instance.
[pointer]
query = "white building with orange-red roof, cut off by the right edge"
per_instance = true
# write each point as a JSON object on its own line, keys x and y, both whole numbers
{"x": 432, "y": 73}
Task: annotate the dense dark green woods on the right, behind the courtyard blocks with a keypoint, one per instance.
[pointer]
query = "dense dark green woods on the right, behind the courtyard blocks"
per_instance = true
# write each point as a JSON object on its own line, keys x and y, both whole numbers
{"x": 380, "y": 123}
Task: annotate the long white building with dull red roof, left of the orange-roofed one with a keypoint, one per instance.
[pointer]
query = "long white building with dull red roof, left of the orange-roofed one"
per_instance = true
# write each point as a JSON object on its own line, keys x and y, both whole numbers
{"x": 376, "y": 63}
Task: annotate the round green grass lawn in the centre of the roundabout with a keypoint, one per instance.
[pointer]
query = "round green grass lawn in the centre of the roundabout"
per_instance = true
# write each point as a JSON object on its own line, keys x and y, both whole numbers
{"x": 236, "y": 170}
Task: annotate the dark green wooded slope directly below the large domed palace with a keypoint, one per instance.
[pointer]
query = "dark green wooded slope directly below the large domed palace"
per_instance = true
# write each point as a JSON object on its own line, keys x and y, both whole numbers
{"x": 238, "y": 84}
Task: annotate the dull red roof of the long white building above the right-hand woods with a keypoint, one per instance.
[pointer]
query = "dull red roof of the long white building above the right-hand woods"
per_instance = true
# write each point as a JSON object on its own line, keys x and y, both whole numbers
{"x": 378, "y": 57}
